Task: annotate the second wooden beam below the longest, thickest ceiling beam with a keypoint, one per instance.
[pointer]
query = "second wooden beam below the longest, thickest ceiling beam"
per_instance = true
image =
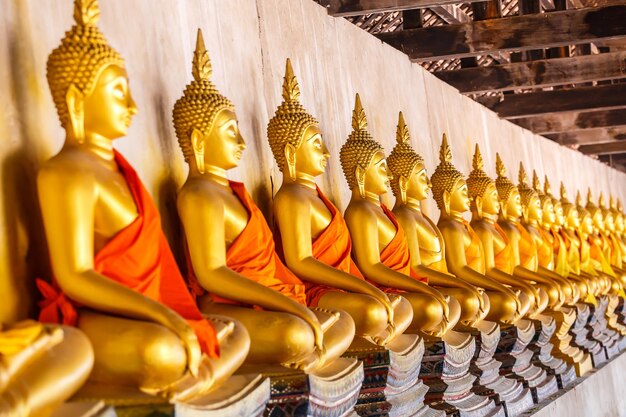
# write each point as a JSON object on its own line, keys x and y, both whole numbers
{"x": 607, "y": 97}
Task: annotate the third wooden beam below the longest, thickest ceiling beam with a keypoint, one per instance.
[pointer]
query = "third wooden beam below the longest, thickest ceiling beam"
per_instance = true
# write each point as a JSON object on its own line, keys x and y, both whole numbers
{"x": 565, "y": 122}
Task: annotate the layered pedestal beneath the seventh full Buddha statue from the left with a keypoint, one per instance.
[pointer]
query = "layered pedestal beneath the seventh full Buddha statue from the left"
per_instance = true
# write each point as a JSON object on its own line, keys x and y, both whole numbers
{"x": 545, "y": 328}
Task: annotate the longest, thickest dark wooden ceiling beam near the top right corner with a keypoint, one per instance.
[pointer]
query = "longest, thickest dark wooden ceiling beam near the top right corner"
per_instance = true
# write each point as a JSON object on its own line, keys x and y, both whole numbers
{"x": 521, "y": 33}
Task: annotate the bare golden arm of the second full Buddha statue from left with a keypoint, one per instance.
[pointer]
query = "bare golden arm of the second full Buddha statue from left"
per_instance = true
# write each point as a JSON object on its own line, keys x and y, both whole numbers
{"x": 203, "y": 221}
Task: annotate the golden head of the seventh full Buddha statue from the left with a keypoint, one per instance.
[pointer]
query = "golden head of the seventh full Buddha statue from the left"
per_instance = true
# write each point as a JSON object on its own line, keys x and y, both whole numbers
{"x": 482, "y": 189}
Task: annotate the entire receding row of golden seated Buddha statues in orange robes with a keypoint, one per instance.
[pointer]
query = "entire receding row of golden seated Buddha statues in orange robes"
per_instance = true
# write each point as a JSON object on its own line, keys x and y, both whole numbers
{"x": 119, "y": 314}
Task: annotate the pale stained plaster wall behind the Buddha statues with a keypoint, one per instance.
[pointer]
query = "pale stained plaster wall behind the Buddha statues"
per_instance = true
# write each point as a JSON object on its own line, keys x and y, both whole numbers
{"x": 248, "y": 41}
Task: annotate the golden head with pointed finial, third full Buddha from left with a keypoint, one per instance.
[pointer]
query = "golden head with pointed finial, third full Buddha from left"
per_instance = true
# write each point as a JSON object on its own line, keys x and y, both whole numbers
{"x": 294, "y": 135}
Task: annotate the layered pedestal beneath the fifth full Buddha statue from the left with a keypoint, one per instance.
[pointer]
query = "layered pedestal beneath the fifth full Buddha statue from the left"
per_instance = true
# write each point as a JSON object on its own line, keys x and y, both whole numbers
{"x": 515, "y": 397}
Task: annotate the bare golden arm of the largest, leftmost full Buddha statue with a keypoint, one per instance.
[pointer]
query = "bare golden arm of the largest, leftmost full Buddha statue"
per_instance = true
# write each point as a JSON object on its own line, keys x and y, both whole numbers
{"x": 68, "y": 195}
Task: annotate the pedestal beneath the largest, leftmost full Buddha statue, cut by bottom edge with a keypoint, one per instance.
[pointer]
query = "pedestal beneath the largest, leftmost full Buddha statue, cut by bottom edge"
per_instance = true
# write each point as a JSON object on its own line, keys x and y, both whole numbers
{"x": 240, "y": 396}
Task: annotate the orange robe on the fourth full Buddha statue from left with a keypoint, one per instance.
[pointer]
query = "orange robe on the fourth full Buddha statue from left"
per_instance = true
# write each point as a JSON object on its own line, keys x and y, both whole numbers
{"x": 396, "y": 254}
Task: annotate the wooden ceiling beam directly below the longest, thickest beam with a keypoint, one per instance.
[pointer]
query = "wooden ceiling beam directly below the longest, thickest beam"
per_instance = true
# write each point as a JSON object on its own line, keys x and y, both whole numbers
{"x": 537, "y": 74}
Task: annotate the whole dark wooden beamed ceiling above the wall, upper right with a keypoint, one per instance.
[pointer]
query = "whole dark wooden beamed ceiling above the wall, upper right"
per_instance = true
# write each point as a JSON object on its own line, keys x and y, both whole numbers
{"x": 556, "y": 67}
